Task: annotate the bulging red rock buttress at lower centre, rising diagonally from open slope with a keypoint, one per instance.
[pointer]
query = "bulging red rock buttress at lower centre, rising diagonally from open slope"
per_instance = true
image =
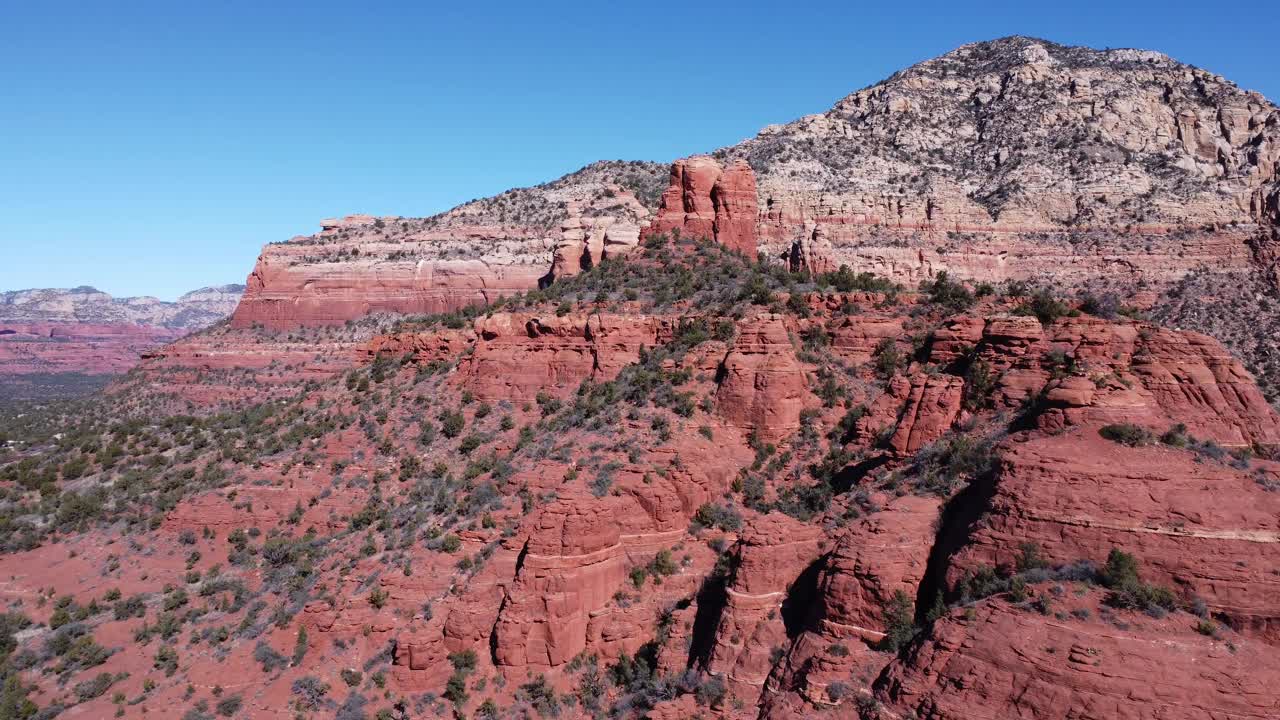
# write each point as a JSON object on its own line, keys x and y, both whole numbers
{"x": 578, "y": 557}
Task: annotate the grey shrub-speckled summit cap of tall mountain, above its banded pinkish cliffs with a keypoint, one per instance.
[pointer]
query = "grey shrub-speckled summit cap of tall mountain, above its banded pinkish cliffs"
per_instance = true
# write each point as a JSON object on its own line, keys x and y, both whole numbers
{"x": 1045, "y": 134}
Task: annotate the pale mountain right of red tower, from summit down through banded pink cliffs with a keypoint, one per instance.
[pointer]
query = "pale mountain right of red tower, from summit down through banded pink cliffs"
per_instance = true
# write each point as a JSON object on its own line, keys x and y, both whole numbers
{"x": 884, "y": 171}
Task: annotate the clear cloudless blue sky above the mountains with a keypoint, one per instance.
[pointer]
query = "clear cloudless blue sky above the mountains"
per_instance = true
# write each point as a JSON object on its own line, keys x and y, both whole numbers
{"x": 153, "y": 148}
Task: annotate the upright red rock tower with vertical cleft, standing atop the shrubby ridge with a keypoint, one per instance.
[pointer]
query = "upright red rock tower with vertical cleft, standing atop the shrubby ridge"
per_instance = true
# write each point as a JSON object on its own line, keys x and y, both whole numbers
{"x": 711, "y": 202}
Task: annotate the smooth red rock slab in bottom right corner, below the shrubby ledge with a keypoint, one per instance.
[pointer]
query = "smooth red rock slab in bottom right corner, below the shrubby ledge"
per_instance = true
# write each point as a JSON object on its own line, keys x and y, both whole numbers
{"x": 999, "y": 660}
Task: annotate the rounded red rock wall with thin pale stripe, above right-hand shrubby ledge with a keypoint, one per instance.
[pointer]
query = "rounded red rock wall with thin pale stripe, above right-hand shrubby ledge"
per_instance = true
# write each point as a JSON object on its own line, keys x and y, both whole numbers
{"x": 1201, "y": 527}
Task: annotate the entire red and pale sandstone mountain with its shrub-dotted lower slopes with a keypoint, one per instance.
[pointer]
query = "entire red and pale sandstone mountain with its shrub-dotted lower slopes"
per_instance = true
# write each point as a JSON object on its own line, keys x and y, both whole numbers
{"x": 573, "y": 452}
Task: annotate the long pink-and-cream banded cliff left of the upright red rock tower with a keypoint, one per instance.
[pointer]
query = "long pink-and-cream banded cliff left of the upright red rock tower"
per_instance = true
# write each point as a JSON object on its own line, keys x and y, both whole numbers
{"x": 473, "y": 254}
